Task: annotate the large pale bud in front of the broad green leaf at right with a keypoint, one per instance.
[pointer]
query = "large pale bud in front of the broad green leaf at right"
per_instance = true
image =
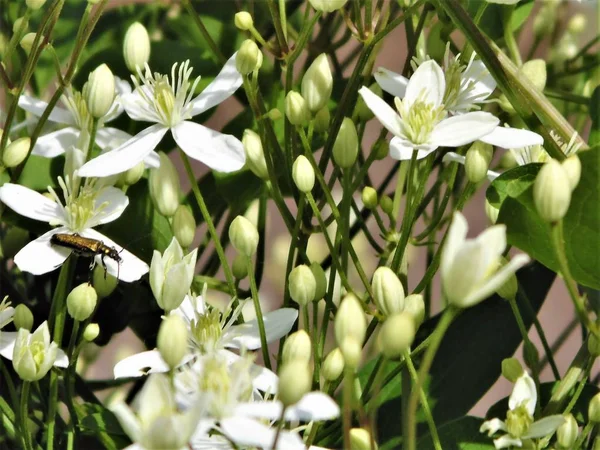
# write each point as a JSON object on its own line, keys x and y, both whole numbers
{"x": 552, "y": 192}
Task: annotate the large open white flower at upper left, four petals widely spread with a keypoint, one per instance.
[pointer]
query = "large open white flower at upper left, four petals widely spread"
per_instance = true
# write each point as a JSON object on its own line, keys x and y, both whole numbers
{"x": 168, "y": 103}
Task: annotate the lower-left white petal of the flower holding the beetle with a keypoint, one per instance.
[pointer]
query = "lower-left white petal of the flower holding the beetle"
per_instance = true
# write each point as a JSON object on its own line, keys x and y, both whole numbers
{"x": 39, "y": 256}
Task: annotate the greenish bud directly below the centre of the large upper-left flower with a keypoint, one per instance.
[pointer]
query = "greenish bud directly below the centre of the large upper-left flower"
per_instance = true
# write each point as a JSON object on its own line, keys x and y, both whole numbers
{"x": 164, "y": 186}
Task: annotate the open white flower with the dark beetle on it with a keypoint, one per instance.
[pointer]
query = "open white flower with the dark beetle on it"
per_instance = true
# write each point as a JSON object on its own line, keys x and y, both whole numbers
{"x": 85, "y": 207}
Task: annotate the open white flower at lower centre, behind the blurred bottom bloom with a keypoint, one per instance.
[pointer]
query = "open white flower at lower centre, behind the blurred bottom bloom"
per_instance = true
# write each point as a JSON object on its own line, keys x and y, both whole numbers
{"x": 209, "y": 333}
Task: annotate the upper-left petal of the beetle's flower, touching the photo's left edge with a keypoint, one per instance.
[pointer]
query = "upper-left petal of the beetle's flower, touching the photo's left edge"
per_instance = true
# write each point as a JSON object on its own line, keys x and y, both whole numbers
{"x": 29, "y": 203}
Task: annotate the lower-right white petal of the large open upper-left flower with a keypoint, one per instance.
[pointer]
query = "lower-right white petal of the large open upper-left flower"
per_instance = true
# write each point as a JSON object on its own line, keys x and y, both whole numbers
{"x": 221, "y": 152}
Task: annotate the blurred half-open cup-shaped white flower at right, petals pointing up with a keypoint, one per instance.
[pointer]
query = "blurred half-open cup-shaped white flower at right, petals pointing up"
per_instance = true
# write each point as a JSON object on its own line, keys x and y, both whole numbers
{"x": 469, "y": 266}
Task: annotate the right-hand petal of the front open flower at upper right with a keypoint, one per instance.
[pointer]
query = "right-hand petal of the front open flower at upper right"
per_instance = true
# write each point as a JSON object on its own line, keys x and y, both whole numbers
{"x": 462, "y": 129}
